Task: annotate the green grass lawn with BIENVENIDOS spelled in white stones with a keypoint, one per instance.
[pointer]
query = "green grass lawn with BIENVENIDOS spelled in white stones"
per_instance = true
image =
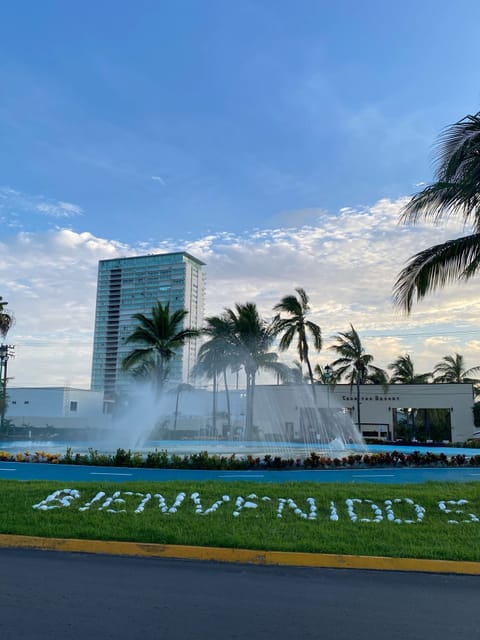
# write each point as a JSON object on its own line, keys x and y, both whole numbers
{"x": 256, "y": 527}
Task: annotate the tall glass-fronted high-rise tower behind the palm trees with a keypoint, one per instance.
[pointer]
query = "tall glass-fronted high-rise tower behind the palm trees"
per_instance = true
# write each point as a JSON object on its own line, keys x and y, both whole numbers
{"x": 133, "y": 285}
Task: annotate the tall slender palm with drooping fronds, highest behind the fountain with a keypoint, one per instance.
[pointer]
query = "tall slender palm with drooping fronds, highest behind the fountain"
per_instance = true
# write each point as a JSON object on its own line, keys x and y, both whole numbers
{"x": 297, "y": 326}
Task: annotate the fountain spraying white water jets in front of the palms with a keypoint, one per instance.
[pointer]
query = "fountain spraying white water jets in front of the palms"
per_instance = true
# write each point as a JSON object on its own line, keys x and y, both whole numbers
{"x": 287, "y": 423}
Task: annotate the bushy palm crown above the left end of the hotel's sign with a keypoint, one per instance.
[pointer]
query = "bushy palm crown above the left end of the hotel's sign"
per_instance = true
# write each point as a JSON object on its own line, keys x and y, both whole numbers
{"x": 354, "y": 365}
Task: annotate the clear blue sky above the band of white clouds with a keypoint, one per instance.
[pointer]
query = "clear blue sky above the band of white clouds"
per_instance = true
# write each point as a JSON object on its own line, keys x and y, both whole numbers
{"x": 243, "y": 111}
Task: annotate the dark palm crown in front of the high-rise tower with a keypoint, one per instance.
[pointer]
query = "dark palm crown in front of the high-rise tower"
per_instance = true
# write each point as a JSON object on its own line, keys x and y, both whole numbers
{"x": 159, "y": 337}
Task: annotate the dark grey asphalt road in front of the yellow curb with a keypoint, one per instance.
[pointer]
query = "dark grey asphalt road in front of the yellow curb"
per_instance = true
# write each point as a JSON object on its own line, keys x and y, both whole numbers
{"x": 86, "y": 597}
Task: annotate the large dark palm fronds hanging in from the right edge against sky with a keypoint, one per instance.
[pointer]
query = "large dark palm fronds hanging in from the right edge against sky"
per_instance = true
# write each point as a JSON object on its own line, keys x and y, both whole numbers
{"x": 454, "y": 193}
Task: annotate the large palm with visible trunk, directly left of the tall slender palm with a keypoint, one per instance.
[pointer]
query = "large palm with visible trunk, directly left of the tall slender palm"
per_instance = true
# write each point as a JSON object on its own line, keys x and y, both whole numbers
{"x": 250, "y": 340}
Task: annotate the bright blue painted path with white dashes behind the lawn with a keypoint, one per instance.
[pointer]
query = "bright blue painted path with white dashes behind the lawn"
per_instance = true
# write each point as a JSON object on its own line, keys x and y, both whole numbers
{"x": 72, "y": 473}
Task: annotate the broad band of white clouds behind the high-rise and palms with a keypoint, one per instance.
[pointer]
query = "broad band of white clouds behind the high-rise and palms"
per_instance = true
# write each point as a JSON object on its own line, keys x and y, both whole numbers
{"x": 346, "y": 263}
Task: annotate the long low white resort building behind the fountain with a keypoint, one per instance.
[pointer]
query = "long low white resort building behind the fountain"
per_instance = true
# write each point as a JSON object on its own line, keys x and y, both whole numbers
{"x": 281, "y": 411}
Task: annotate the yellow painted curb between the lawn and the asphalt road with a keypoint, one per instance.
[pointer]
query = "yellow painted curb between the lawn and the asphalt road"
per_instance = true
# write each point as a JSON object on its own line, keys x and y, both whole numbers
{"x": 238, "y": 555}
